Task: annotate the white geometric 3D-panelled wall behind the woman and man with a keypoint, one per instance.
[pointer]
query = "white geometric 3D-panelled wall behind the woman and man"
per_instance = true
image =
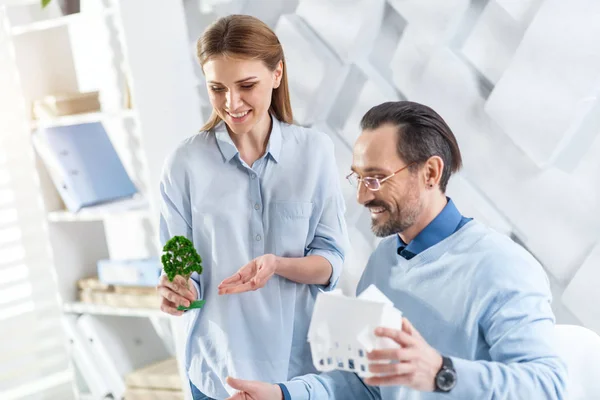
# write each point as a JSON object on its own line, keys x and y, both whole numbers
{"x": 517, "y": 81}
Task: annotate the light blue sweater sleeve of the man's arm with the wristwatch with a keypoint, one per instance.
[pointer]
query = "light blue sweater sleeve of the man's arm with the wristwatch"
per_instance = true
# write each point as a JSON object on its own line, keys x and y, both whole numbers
{"x": 519, "y": 329}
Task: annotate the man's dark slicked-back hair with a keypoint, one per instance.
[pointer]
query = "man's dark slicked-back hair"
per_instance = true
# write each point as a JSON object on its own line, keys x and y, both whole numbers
{"x": 422, "y": 133}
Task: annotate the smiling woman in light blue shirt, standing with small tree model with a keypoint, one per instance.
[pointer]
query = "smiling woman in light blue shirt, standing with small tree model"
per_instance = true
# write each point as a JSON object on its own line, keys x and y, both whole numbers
{"x": 260, "y": 199}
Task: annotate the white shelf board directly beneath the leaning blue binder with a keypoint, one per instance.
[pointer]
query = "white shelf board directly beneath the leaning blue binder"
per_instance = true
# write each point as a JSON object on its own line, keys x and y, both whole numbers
{"x": 132, "y": 206}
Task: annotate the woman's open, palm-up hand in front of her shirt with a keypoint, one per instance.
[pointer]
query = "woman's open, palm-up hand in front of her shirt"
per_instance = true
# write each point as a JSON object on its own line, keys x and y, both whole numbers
{"x": 251, "y": 276}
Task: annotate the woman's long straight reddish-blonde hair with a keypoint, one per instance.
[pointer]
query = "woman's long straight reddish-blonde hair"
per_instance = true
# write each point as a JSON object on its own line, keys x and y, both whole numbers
{"x": 246, "y": 37}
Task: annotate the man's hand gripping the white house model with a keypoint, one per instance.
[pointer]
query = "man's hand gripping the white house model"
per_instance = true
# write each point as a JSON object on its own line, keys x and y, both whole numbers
{"x": 415, "y": 364}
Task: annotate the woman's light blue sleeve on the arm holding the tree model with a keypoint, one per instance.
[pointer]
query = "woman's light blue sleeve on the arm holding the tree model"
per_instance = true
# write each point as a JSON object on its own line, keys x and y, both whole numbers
{"x": 175, "y": 209}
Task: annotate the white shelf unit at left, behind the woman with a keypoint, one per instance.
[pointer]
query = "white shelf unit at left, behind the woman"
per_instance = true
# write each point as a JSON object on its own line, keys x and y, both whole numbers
{"x": 114, "y": 47}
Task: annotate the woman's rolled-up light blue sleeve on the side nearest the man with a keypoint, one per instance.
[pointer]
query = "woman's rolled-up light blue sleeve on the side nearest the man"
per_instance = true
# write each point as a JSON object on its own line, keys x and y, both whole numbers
{"x": 331, "y": 236}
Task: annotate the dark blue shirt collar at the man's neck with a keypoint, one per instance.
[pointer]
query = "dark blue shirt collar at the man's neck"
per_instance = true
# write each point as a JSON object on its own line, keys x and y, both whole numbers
{"x": 440, "y": 228}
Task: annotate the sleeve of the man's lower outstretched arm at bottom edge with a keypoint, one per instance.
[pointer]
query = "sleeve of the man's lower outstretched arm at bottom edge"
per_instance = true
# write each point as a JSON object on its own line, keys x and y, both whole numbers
{"x": 335, "y": 385}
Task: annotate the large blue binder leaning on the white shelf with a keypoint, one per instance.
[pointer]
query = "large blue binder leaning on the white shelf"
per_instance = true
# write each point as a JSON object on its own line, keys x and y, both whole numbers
{"x": 83, "y": 164}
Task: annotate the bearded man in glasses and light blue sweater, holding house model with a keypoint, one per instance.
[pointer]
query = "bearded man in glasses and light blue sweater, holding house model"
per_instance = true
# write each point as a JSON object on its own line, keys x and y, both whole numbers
{"x": 478, "y": 319}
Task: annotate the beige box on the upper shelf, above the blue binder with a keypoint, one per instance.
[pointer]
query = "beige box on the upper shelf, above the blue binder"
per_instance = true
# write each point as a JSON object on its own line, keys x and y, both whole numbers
{"x": 51, "y": 107}
